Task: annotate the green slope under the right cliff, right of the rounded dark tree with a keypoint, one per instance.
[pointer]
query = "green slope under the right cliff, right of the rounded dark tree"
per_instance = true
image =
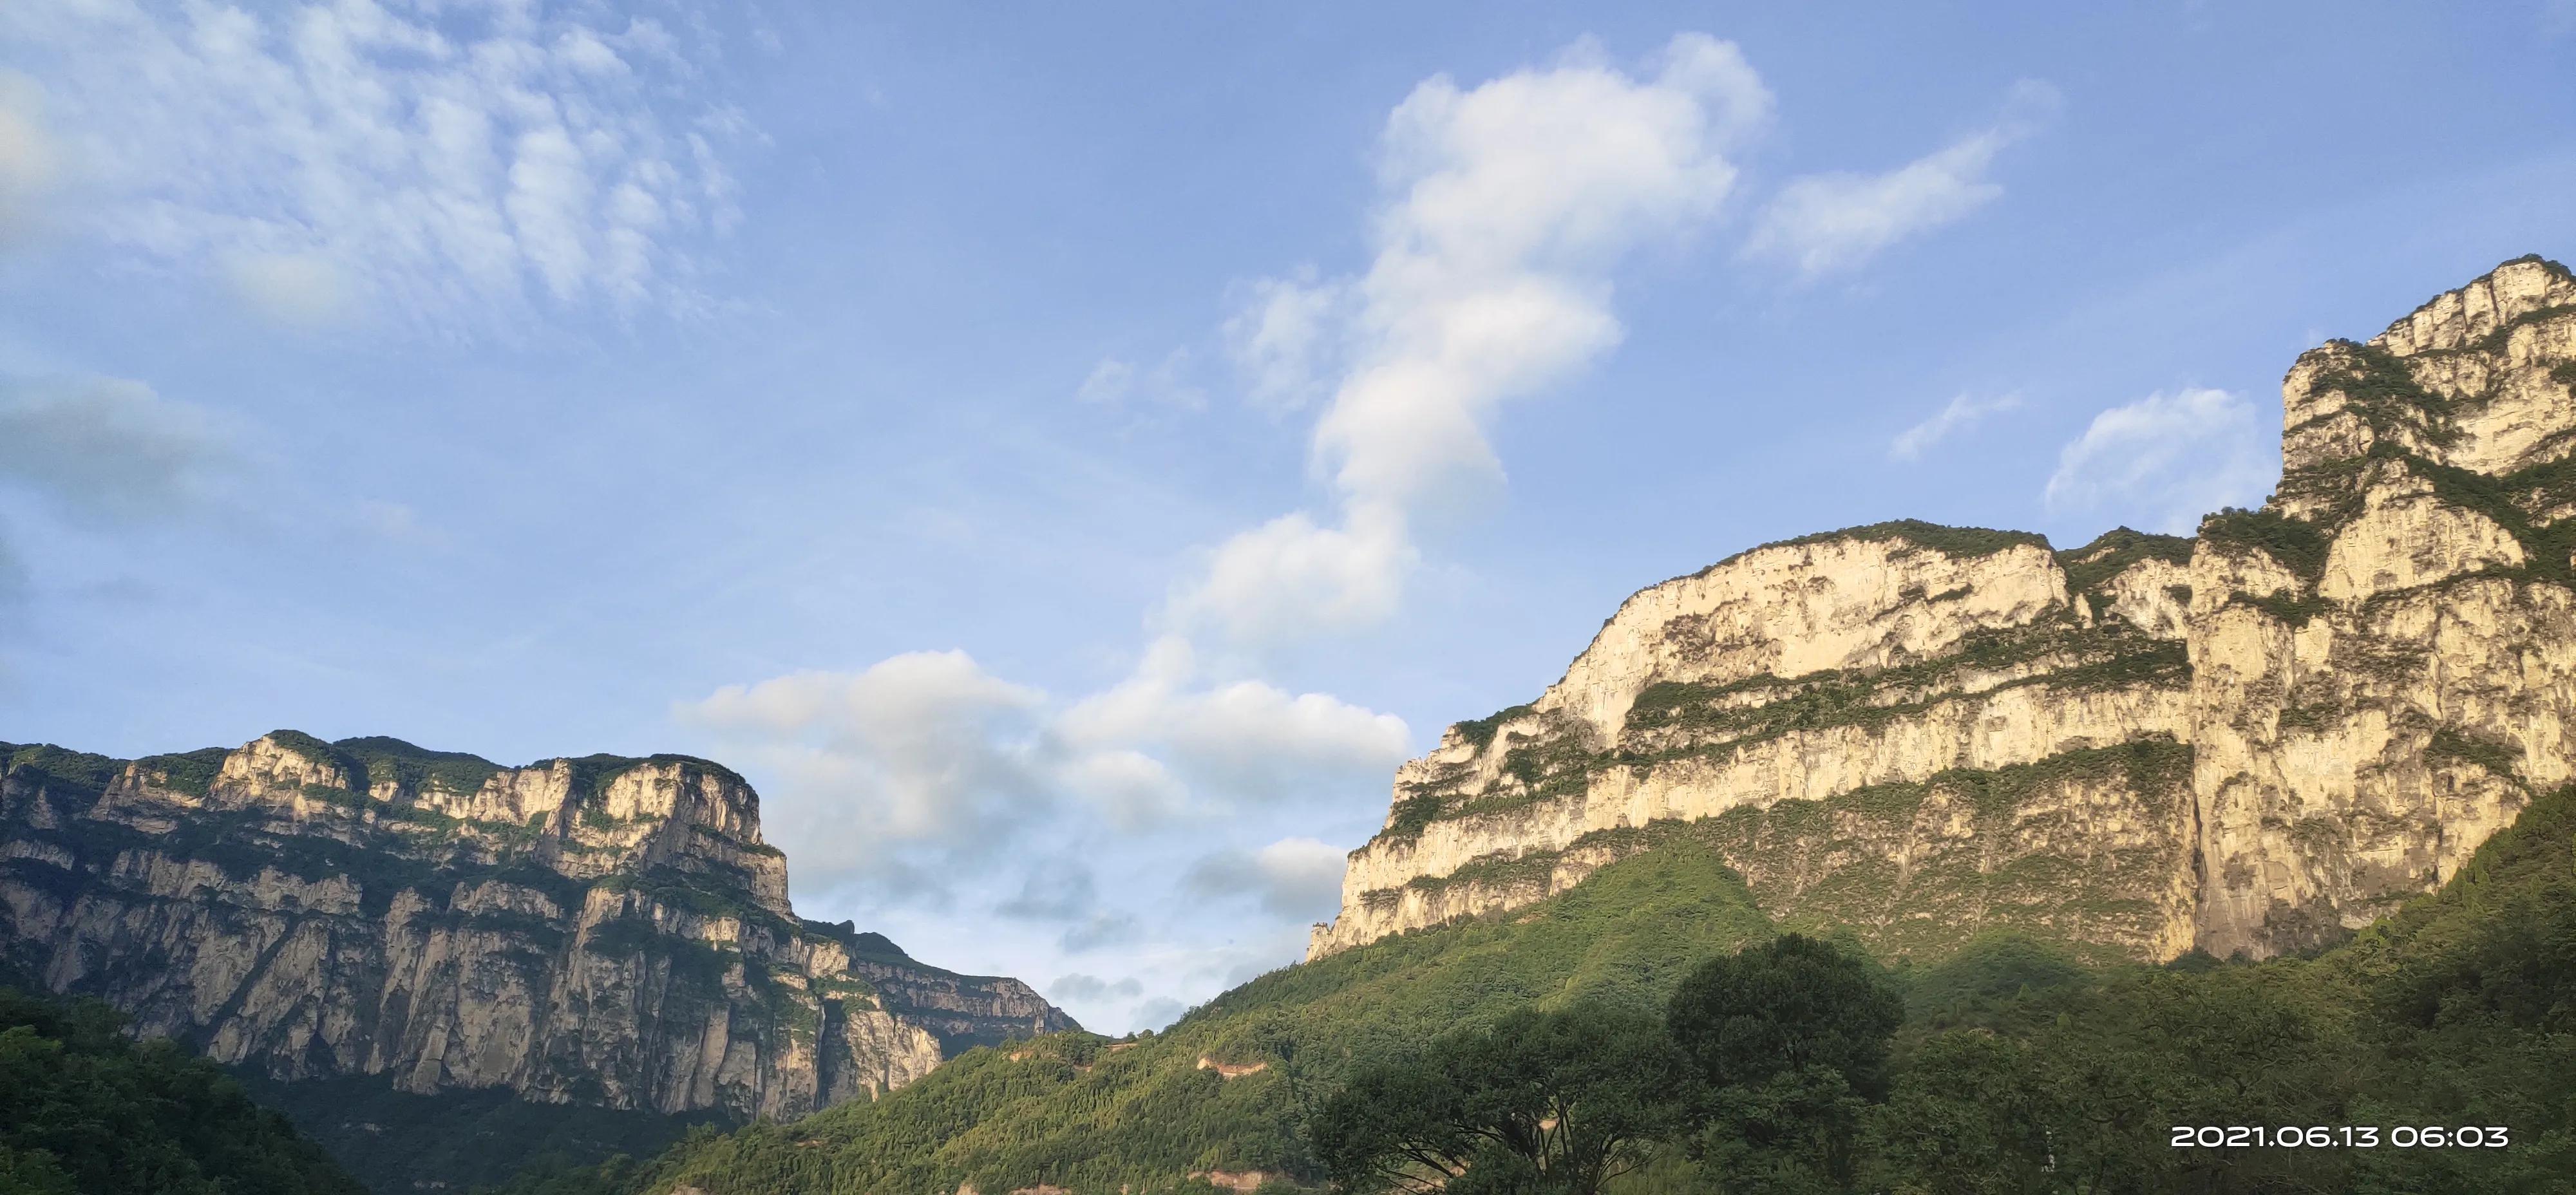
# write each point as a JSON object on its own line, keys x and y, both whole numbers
{"x": 2430, "y": 1055}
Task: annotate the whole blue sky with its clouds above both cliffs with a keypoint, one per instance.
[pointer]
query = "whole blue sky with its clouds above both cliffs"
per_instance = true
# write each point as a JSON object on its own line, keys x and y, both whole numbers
{"x": 1068, "y": 457}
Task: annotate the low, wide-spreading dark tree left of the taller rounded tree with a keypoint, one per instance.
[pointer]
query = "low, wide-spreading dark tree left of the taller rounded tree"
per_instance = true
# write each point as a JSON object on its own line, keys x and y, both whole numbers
{"x": 1544, "y": 1104}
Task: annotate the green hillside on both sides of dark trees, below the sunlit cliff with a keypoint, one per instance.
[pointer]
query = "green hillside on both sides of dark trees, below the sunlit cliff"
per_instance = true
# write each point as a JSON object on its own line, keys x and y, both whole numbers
{"x": 2018, "y": 1070}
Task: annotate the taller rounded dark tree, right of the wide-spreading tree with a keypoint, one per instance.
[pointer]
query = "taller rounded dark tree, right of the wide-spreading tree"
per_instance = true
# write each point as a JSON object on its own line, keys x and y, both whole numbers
{"x": 1786, "y": 1042}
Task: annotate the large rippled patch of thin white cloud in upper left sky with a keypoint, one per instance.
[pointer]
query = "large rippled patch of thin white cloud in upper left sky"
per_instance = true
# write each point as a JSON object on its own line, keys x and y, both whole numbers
{"x": 442, "y": 166}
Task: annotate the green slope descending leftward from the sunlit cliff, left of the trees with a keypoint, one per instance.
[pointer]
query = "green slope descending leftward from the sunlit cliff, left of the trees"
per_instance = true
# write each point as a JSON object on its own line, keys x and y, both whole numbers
{"x": 1215, "y": 1098}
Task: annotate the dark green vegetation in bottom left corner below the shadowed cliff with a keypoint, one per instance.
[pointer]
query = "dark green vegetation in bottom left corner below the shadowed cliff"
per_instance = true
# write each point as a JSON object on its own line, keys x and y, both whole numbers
{"x": 86, "y": 1111}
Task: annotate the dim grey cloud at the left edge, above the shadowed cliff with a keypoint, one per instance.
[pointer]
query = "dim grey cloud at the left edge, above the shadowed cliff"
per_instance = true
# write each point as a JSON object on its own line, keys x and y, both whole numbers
{"x": 107, "y": 447}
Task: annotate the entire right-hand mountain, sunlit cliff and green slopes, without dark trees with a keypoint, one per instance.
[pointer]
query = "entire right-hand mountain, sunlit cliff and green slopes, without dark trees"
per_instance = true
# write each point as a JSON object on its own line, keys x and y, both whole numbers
{"x": 2052, "y": 789}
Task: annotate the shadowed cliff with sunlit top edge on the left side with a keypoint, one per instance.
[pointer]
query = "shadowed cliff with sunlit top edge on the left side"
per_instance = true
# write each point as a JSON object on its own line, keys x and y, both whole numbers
{"x": 578, "y": 931}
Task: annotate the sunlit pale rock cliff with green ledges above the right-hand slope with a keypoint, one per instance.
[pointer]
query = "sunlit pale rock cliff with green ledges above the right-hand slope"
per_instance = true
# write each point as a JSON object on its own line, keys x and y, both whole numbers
{"x": 2248, "y": 740}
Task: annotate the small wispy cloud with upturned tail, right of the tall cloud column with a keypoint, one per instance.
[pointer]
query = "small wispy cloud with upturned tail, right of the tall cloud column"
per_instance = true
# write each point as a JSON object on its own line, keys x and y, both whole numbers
{"x": 1841, "y": 220}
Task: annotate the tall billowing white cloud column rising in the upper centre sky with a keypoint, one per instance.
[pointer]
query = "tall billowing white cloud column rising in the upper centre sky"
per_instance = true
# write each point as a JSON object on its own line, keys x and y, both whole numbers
{"x": 1503, "y": 212}
